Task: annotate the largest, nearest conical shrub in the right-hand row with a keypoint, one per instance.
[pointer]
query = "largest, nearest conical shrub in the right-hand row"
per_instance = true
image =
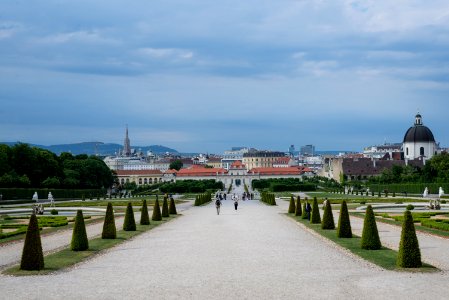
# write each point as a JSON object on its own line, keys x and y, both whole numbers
{"x": 409, "y": 255}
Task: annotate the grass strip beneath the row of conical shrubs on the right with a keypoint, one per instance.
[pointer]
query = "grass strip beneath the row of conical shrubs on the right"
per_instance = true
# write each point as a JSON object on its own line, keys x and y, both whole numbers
{"x": 384, "y": 258}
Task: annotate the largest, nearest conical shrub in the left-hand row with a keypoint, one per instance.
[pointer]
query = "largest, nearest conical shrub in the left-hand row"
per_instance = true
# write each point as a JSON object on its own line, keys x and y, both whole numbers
{"x": 32, "y": 256}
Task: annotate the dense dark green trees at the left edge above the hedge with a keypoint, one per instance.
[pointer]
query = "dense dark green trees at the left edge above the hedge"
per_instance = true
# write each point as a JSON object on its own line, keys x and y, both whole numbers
{"x": 22, "y": 166}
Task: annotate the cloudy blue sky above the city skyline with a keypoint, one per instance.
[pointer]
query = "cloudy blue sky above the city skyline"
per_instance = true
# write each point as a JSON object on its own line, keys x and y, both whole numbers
{"x": 204, "y": 76}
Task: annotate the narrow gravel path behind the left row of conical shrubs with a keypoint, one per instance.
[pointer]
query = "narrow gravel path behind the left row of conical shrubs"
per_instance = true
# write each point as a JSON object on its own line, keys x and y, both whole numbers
{"x": 10, "y": 253}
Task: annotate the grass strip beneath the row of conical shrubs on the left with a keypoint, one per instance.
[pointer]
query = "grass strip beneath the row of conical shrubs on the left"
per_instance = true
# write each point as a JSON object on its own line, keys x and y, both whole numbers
{"x": 67, "y": 258}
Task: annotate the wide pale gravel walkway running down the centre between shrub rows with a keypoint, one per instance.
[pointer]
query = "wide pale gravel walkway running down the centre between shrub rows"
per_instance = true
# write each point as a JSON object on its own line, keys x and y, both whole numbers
{"x": 255, "y": 252}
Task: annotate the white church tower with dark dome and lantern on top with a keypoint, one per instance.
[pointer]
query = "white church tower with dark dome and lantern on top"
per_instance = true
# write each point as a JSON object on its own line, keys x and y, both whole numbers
{"x": 419, "y": 141}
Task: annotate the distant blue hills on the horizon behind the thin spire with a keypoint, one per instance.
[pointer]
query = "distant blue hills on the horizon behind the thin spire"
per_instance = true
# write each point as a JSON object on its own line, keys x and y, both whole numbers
{"x": 93, "y": 148}
